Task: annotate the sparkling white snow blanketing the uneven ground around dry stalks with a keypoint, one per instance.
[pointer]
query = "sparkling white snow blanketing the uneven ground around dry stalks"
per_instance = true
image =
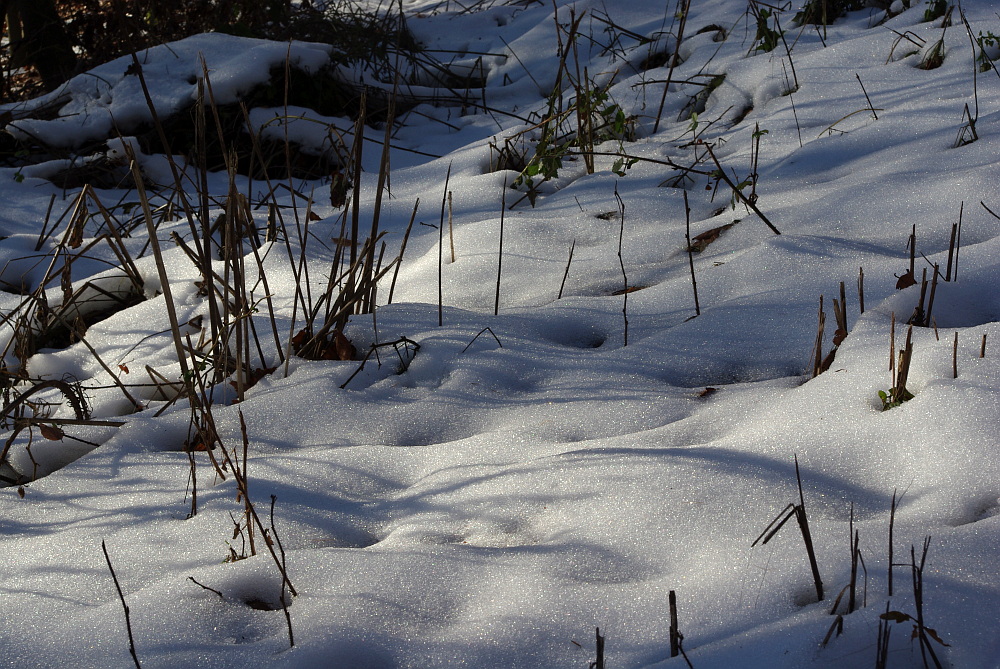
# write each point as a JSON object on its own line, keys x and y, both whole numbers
{"x": 489, "y": 501}
